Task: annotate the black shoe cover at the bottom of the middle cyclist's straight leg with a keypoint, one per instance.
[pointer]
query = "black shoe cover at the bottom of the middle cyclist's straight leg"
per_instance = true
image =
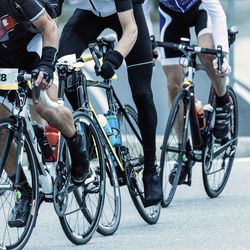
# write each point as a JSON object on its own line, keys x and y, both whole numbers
{"x": 152, "y": 187}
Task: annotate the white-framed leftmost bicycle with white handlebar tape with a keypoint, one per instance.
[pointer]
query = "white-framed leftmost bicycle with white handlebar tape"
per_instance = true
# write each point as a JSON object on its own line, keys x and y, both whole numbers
{"x": 78, "y": 209}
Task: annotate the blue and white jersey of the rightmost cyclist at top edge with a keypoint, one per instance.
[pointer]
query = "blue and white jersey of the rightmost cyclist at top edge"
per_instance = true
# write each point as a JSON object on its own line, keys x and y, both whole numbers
{"x": 179, "y": 5}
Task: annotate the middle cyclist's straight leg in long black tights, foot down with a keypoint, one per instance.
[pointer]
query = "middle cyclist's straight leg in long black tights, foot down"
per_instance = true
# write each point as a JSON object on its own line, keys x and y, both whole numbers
{"x": 139, "y": 63}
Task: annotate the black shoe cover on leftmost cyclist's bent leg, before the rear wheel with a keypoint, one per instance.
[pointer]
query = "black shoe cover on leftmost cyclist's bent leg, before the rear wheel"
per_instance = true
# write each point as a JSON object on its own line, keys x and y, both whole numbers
{"x": 79, "y": 156}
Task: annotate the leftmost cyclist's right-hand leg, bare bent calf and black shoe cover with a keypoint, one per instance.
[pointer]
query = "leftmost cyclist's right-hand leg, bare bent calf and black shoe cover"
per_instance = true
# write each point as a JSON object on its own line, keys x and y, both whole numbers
{"x": 61, "y": 118}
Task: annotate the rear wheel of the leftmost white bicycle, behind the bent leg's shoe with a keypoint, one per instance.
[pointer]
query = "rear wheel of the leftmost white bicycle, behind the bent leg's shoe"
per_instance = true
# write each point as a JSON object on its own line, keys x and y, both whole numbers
{"x": 85, "y": 203}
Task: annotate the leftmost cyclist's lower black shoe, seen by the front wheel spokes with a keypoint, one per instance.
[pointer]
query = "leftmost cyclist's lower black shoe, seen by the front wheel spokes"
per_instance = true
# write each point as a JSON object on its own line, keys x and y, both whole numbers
{"x": 20, "y": 213}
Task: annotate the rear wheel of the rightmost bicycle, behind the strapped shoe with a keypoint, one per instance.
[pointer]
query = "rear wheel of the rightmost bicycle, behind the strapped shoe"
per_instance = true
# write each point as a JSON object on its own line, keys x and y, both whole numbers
{"x": 219, "y": 155}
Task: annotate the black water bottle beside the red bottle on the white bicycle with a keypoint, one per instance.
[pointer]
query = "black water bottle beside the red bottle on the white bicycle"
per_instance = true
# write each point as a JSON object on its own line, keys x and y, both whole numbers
{"x": 42, "y": 140}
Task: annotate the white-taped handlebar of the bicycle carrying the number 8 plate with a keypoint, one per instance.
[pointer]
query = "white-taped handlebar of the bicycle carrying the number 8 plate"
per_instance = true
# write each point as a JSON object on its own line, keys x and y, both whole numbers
{"x": 43, "y": 94}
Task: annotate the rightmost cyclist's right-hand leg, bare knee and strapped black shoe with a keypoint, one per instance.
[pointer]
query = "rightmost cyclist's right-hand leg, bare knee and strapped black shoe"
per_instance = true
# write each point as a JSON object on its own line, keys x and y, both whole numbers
{"x": 205, "y": 39}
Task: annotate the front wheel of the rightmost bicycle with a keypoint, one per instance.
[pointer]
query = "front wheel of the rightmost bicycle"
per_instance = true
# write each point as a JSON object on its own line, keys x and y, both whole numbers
{"x": 171, "y": 155}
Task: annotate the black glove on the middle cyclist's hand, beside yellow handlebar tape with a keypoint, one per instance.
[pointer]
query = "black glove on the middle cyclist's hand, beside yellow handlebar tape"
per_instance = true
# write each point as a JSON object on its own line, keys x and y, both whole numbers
{"x": 112, "y": 60}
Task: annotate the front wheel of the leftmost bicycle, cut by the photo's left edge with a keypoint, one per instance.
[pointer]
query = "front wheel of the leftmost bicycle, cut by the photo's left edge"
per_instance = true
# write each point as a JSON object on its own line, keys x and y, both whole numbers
{"x": 13, "y": 237}
